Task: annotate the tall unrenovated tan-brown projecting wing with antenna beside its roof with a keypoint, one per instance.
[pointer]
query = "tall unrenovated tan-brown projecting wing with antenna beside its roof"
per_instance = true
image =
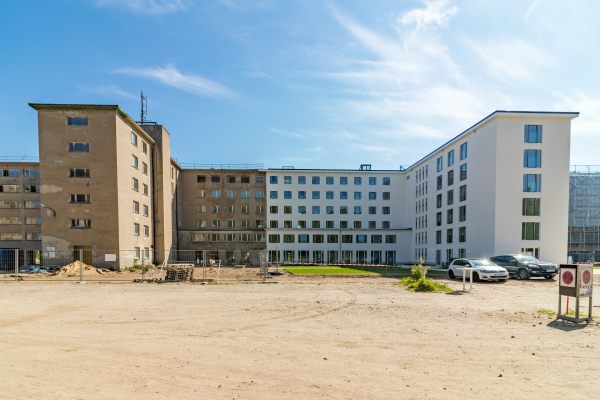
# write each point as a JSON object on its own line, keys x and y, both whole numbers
{"x": 99, "y": 173}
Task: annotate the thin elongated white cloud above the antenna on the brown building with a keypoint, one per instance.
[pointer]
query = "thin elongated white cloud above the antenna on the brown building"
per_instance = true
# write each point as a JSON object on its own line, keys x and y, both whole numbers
{"x": 171, "y": 76}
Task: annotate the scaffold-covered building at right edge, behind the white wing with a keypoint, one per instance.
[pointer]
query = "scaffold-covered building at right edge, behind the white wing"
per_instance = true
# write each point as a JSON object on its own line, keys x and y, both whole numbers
{"x": 584, "y": 213}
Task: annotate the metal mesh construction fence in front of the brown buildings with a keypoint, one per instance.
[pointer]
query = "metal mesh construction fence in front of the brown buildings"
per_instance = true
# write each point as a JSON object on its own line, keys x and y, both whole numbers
{"x": 208, "y": 266}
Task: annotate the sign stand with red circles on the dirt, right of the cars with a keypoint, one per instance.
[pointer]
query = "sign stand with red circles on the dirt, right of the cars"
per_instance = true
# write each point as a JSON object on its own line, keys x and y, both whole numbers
{"x": 575, "y": 281}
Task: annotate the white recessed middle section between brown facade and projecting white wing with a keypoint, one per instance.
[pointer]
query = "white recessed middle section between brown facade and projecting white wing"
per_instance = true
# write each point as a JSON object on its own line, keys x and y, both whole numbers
{"x": 337, "y": 216}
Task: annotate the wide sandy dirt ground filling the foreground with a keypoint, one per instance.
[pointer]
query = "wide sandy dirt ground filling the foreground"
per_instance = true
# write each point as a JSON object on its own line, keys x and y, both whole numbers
{"x": 334, "y": 338}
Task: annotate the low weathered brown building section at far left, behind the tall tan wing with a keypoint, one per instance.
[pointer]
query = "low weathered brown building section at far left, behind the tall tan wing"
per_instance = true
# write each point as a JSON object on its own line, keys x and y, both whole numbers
{"x": 20, "y": 213}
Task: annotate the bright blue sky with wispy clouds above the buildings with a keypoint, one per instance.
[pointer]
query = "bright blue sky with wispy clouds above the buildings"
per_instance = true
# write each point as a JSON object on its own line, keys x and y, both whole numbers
{"x": 304, "y": 83}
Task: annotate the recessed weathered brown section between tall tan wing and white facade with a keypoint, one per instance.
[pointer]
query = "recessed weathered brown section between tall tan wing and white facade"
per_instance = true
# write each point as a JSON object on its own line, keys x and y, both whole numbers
{"x": 222, "y": 214}
